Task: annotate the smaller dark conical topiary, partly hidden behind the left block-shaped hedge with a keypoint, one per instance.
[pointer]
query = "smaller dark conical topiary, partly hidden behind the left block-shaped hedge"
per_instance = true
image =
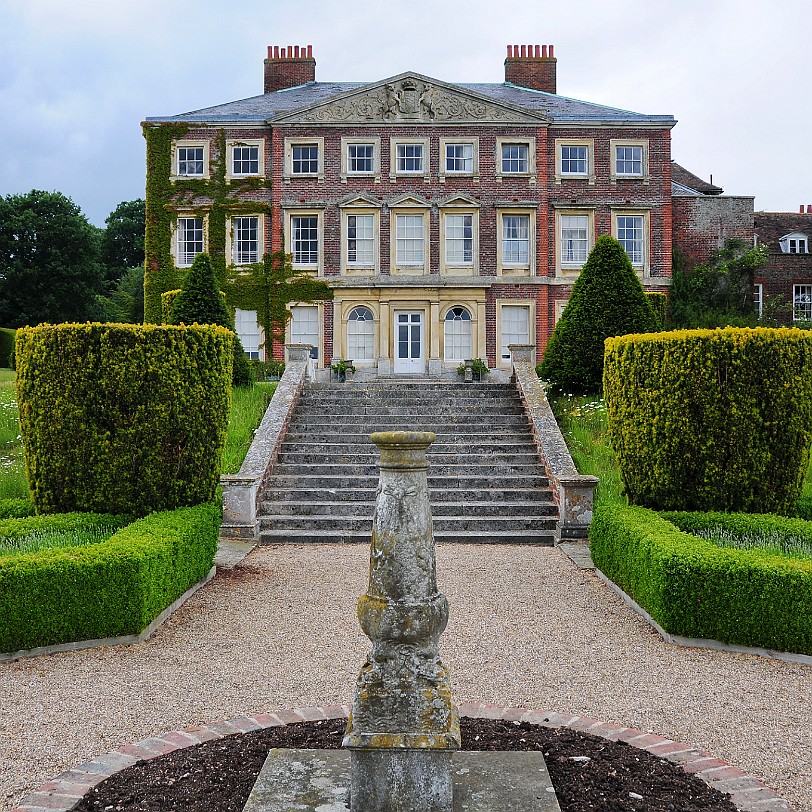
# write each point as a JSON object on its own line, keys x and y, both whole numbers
{"x": 200, "y": 301}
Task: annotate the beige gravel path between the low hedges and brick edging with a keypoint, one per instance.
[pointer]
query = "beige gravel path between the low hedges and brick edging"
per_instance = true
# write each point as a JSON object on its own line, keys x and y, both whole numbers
{"x": 527, "y": 628}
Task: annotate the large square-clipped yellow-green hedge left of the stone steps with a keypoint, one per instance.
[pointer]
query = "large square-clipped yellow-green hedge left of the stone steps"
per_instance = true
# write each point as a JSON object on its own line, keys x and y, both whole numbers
{"x": 119, "y": 418}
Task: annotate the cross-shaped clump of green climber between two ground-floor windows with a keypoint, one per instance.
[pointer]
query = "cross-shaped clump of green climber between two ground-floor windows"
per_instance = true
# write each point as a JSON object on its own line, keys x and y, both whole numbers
{"x": 271, "y": 286}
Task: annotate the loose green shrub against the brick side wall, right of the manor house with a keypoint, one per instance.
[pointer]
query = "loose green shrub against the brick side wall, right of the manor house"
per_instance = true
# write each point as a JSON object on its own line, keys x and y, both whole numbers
{"x": 718, "y": 293}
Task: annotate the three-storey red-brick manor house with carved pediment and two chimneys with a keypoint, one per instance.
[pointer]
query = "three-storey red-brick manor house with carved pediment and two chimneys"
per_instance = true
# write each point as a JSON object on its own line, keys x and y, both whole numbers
{"x": 451, "y": 219}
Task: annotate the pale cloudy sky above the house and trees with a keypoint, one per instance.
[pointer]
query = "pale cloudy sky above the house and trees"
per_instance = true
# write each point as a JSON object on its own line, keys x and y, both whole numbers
{"x": 78, "y": 76}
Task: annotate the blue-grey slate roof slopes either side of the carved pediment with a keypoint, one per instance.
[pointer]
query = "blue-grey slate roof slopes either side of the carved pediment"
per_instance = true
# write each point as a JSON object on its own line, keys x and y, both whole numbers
{"x": 259, "y": 109}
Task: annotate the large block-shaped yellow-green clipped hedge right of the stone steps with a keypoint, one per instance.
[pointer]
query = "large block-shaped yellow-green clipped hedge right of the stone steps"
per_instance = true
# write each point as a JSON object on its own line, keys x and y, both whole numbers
{"x": 711, "y": 419}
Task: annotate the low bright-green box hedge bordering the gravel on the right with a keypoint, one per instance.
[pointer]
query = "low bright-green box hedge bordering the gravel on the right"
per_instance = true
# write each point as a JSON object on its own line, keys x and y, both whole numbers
{"x": 693, "y": 588}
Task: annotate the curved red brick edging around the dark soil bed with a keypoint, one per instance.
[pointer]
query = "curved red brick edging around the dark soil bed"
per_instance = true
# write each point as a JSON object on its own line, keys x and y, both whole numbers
{"x": 64, "y": 792}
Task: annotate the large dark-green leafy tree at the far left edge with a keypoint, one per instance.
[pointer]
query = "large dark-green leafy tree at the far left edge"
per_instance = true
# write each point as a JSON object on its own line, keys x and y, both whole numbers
{"x": 49, "y": 260}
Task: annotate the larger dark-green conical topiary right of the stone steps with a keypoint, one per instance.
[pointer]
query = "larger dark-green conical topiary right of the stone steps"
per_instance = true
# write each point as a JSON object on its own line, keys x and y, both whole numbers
{"x": 607, "y": 300}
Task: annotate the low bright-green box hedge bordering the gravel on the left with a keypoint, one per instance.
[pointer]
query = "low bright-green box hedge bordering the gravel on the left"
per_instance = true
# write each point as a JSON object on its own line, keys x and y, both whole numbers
{"x": 114, "y": 588}
